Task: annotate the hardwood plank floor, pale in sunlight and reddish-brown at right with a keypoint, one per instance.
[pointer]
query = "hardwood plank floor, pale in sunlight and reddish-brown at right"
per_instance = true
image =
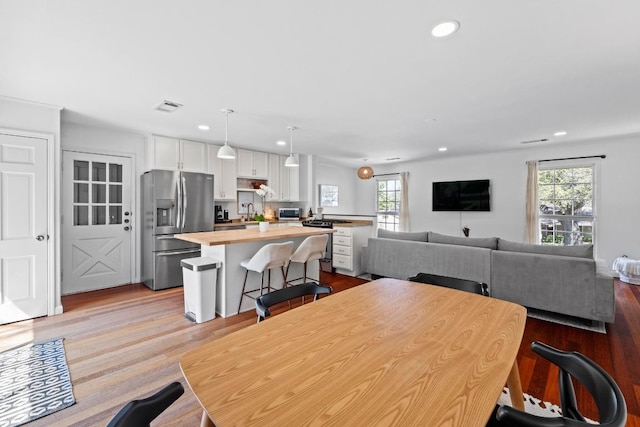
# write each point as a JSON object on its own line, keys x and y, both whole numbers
{"x": 124, "y": 343}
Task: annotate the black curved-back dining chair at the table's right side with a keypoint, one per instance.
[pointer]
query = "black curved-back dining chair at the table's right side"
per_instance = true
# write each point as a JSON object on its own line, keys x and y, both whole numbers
{"x": 606, "y": 394}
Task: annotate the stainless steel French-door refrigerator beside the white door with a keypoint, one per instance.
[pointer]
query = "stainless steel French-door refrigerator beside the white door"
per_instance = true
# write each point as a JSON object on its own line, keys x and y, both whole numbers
{"x": 172, "y": 202}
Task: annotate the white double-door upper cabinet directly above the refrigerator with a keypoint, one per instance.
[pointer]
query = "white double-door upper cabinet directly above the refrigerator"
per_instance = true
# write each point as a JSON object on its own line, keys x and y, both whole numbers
{"x": 178, "y": 154}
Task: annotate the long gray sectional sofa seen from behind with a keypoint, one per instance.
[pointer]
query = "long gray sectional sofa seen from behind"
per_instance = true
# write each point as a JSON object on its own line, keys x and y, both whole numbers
{"x": 559, "y": 279}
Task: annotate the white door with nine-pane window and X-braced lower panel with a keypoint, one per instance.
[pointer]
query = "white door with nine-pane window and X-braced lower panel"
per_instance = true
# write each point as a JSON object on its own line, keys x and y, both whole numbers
{"x": 96, "y": 221}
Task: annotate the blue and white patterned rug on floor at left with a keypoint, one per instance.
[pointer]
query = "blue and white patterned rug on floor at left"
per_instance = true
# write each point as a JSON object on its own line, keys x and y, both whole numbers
{"x": 34, "y": 382}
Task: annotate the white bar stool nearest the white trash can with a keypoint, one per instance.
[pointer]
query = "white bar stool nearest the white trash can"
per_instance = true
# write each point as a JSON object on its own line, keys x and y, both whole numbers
{"x": 270, "y": 256}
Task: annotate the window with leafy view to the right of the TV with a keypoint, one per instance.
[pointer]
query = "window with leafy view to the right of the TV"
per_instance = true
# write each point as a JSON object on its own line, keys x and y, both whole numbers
{"x": 565, "y": 196}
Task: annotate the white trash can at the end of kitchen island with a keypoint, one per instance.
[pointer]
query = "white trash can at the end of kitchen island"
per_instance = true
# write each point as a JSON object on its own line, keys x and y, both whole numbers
{"x": 199, "y": 277}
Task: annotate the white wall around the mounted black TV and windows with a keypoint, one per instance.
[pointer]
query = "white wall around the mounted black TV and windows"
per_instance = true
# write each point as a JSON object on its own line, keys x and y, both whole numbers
{"x": 618, "y": 203}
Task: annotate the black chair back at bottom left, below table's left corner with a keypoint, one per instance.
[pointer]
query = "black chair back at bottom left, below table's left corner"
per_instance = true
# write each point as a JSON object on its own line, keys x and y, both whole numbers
{"x": 140, "y": 413}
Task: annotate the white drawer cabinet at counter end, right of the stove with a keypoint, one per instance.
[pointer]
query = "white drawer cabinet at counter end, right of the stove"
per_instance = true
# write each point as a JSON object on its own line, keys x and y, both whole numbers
{"x": 347, "y": 249}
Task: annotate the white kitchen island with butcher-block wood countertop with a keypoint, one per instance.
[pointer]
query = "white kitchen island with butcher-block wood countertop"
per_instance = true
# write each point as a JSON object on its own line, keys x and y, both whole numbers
{"x": 232, "y": 246}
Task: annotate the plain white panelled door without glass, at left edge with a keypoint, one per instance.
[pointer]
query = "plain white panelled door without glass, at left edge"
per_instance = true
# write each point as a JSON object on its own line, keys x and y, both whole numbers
{"x": 23, "y": 228}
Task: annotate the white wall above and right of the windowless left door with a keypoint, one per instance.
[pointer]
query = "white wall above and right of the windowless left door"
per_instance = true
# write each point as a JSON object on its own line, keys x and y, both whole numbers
{"x": 35, "y": 117}
